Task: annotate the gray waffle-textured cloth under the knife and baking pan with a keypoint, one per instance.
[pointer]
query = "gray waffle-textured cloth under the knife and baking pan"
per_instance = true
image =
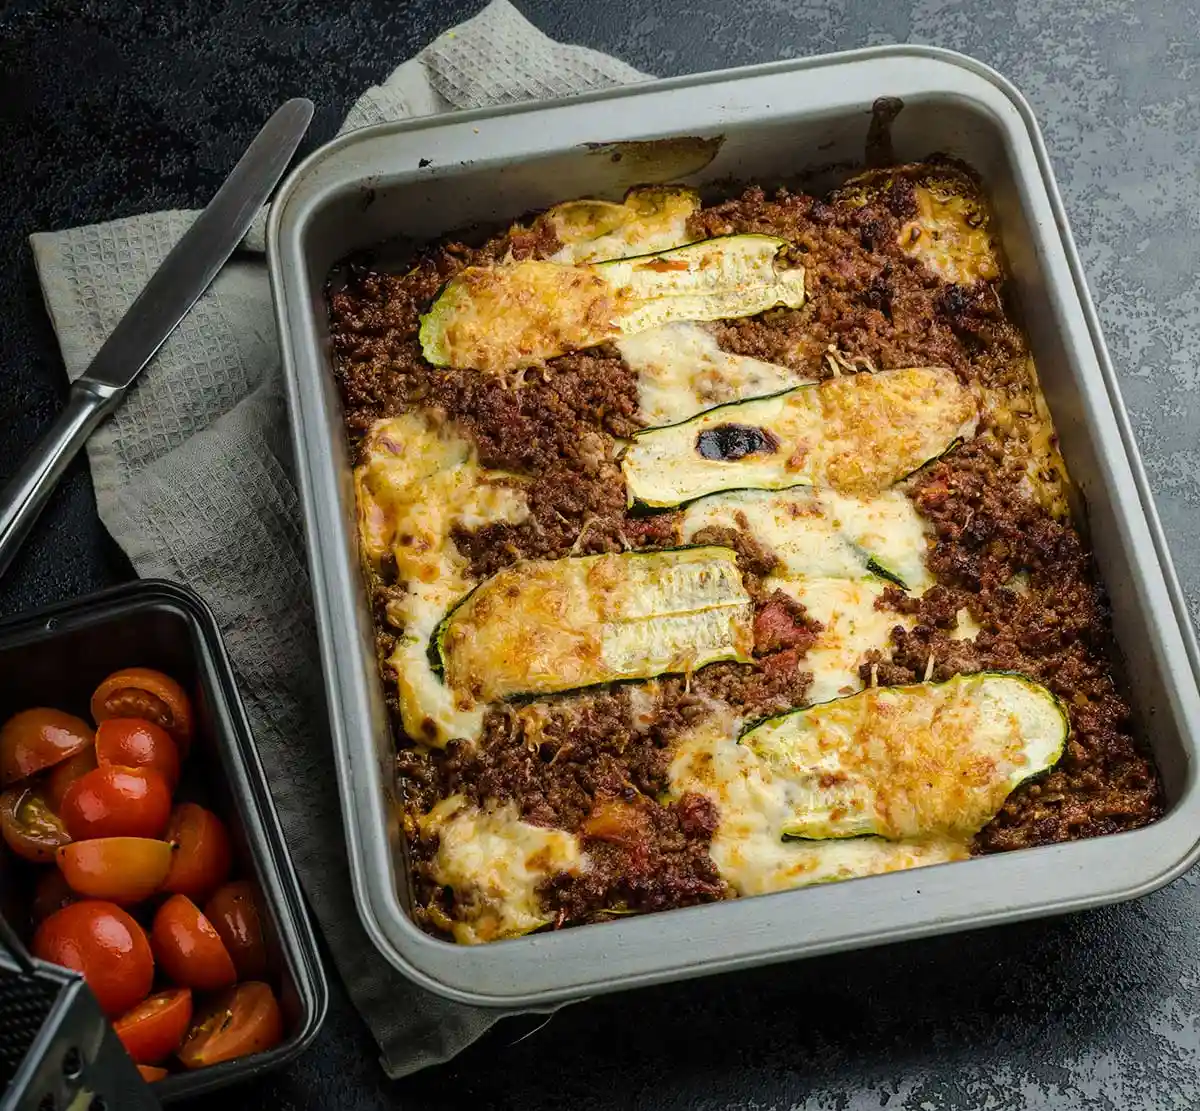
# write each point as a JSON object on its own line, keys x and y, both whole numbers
{"x": 194, "y": 479}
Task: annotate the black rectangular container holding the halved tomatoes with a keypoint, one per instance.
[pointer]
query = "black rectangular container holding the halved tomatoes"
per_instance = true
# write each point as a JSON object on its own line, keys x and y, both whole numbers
{"x": 57, "y": 658}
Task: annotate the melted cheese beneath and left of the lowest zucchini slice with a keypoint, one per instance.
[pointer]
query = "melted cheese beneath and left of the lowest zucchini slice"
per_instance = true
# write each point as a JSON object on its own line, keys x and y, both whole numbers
{"x": 755, "y": 801}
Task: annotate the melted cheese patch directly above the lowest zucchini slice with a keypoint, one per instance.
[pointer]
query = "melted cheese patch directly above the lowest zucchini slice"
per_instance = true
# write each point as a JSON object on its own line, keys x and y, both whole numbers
{"x": 853, "y": 627}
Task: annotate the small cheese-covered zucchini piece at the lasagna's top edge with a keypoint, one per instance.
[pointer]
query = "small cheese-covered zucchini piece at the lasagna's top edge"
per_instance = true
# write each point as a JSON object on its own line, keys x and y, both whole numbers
{"x": 651, "y": 219}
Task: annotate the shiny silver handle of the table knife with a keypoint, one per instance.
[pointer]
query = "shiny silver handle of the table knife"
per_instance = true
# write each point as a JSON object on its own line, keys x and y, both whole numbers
{"x": 23, "y": 500}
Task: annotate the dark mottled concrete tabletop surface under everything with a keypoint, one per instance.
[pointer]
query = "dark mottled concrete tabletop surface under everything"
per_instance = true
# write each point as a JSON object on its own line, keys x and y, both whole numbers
{"x": 115, "y": 109}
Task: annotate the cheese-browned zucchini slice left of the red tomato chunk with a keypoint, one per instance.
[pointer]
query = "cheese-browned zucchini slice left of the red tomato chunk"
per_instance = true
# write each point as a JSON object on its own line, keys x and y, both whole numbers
{"x": 545, "y": 627}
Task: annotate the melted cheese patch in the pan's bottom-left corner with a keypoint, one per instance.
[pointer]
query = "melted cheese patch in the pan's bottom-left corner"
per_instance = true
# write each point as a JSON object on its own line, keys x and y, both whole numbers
{"x": 496, "y": 862}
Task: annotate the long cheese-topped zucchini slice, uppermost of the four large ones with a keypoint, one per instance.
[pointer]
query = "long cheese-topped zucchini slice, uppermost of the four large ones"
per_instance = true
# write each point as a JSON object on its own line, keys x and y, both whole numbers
{"x": 505, "y": 317}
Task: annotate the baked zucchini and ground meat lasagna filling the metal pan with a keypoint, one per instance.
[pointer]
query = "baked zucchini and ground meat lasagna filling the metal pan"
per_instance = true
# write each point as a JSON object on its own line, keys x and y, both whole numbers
{"x": 722, "y": 548}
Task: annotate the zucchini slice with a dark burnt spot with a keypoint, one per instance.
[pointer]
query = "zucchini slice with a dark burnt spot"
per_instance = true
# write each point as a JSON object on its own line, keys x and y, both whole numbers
{"x": 859, "y": 435}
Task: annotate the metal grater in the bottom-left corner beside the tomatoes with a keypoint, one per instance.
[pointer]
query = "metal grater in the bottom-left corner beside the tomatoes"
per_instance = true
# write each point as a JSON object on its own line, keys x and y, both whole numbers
{"x": 58, "y": 1052}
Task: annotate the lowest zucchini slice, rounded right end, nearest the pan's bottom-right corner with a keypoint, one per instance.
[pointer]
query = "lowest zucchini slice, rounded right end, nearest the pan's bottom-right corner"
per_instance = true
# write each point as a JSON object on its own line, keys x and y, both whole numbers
{"x": 907, "y": 762}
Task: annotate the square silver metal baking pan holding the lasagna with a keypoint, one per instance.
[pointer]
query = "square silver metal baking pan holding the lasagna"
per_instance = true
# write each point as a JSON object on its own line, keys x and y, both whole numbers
{"x": 419, "y": 179}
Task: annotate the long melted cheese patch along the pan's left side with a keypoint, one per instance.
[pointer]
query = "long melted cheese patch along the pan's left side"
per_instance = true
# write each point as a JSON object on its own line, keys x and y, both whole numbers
{"x": 419, "y": 482}
